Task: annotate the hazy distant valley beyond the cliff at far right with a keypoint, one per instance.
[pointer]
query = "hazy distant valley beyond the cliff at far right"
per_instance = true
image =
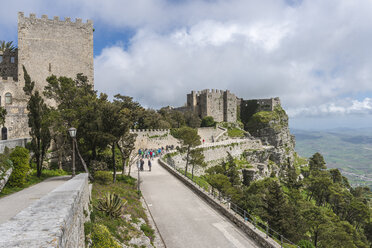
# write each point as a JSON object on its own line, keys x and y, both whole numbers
{"x": 350, "y": 150}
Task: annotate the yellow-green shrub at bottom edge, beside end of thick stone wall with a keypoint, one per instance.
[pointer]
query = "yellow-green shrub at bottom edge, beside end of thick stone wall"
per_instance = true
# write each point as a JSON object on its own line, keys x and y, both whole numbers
{"x": 101, "y": 237}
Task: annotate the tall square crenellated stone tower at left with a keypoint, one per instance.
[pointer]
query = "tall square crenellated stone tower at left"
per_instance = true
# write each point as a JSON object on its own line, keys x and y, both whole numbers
{"x": 58, "y": 47}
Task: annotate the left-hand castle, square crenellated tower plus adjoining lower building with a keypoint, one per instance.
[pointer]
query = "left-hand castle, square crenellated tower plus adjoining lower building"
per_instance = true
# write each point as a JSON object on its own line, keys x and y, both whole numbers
{"x": 45, "y": 47}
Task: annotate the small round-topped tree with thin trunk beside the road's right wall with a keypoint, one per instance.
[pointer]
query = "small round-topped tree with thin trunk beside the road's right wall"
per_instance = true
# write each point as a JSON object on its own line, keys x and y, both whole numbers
{"x": 189, "y": 139}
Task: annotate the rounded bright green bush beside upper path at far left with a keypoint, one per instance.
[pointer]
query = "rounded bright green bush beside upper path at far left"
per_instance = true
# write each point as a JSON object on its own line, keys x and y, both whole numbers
{"x": 20, "y": 157}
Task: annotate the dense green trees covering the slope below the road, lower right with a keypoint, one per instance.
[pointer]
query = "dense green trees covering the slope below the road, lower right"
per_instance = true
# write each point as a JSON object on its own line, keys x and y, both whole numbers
{"x": 321, "y": 208}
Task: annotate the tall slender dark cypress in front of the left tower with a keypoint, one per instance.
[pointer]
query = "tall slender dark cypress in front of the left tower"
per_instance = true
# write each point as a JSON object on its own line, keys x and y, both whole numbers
{"x": 38, "y": 121}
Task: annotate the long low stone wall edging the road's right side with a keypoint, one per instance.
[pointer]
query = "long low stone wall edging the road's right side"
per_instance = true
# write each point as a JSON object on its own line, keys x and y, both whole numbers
{"x": 249, "y": 229}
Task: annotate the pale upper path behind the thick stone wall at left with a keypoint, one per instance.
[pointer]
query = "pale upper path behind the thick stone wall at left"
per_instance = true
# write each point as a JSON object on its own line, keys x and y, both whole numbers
{"x": 13, "y": 204}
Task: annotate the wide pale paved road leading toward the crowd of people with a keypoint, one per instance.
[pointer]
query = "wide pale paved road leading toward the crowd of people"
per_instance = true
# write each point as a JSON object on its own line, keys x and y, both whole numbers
{"x": 183, "y": 219}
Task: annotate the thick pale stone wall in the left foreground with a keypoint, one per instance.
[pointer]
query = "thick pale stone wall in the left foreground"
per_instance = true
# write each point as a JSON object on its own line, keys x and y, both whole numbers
{"x": 56, "y": 220}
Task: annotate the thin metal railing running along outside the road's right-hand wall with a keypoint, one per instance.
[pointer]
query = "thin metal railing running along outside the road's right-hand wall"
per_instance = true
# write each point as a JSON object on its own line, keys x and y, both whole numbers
{"x": 247, "y": 217}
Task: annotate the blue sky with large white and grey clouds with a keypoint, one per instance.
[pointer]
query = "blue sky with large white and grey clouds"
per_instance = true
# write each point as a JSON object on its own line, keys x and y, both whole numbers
{"x": 316, "y": 55}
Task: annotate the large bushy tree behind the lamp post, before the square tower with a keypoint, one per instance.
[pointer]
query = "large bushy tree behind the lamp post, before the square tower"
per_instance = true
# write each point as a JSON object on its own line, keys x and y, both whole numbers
{"x": 77, "y": 106}
